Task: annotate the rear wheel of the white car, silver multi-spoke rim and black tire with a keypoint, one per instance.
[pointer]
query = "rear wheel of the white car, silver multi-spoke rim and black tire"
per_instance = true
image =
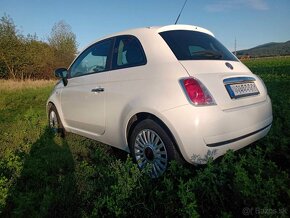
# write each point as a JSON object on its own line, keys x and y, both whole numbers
{"x": 151, "y": 145}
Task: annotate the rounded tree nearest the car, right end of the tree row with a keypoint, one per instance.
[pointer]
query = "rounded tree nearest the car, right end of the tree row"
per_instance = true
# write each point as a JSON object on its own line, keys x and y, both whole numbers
{"x": 63, "y": 41}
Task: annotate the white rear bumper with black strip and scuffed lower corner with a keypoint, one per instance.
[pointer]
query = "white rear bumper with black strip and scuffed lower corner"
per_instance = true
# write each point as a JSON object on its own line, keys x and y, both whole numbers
{"x": 201, "y": 132}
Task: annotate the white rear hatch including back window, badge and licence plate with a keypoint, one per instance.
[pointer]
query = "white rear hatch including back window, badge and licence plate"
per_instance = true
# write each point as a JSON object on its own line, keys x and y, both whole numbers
{"x": 229, "y": 81}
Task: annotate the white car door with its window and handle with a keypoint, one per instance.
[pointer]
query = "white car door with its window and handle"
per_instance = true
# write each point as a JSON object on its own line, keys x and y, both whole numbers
{"x": 83, "y": 99}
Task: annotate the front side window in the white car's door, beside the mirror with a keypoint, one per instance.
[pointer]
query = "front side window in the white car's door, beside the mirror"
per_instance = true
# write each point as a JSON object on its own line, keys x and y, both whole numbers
{"x": 93, "y": 60}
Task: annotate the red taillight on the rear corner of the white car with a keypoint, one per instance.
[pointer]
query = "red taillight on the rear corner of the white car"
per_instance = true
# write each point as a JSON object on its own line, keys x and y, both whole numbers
{"x": 197, "y": 92}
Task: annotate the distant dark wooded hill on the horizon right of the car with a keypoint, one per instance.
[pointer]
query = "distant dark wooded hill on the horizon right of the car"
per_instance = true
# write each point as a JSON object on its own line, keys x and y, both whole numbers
{"x": 267, "y": 50}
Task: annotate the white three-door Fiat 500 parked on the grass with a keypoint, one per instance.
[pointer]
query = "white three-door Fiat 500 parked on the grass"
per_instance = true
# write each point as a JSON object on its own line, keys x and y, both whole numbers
{"x": 161, "y": 93}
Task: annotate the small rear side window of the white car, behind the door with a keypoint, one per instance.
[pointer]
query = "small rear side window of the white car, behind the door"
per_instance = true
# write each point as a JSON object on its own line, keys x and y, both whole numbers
{"x": 128, "y": 52}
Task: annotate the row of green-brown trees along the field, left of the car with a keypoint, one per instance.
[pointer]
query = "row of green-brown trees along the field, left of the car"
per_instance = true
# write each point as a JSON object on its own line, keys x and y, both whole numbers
{"x": 27, "y": 57}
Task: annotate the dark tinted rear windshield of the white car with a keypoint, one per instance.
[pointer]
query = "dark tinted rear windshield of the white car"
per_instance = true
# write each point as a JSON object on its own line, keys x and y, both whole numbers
{"x": 193, "y": 45}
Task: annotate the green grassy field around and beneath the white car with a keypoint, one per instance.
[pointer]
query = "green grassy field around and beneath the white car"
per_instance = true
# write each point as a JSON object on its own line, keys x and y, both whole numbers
{"x": 42, "y": 175}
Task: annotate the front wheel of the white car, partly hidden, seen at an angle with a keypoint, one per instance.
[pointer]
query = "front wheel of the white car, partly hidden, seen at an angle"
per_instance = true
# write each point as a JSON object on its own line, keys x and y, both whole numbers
{"x": 54, "y": 121}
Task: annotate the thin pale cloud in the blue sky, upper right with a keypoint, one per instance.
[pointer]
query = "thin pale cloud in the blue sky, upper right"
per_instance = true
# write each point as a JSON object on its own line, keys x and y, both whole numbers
{"x": 224, "y": 5}
